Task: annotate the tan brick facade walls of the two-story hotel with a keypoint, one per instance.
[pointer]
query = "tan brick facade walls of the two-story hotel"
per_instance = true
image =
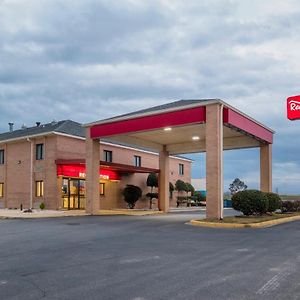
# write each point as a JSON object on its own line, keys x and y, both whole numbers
{"x": 16, "y": 170}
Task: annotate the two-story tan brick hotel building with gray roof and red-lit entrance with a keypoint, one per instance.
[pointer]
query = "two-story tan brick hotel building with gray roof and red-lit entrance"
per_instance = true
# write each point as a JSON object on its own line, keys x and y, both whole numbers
{"x": 46, "y": 164}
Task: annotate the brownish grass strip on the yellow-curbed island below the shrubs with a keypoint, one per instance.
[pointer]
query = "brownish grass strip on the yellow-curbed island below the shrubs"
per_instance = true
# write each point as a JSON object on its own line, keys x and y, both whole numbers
{"x": 251, "y": 219}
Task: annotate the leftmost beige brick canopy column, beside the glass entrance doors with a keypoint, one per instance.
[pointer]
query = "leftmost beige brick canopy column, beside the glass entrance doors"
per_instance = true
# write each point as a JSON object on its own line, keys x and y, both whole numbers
{"x": 92, "y": 162}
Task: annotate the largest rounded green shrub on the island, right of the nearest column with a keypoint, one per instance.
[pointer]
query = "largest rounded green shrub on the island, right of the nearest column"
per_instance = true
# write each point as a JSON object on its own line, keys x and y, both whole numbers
{"x": 250, "y": 202}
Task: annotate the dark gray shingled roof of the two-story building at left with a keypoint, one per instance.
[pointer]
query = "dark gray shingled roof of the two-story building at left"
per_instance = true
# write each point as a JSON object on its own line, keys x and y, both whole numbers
{"x": 65, "y": 126}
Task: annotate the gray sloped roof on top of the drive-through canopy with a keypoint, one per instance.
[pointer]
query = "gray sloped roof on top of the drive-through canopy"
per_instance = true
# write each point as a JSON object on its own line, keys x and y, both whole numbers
{"x": 161, "y": 107}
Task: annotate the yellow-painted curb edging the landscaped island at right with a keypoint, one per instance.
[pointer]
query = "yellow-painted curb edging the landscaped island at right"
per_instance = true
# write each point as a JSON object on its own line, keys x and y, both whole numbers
{"x": 250, "y": 225}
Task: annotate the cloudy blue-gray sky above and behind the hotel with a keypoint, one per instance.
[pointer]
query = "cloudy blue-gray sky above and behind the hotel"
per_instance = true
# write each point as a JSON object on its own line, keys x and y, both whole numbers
{"x": 87, "y": 60}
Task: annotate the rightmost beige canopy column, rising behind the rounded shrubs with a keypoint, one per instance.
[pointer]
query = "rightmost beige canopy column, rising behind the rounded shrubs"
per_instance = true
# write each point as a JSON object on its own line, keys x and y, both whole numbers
{"x": 266, "y": 167}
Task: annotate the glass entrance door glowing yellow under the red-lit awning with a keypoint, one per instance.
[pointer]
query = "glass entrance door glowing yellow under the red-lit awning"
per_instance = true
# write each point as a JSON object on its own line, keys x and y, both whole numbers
{"x": 73, "y": 193}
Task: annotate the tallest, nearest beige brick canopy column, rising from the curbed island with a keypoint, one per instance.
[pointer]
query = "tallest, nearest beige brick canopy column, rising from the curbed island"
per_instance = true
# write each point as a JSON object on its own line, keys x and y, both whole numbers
{"x": 214, "y": 161}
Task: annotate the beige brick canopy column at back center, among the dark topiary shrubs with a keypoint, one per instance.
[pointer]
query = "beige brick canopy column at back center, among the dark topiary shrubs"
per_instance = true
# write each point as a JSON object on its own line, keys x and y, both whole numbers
{"x": 163, "y": 182}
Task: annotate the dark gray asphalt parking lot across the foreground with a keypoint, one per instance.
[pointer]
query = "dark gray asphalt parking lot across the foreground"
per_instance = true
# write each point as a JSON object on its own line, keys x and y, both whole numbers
{"x": 150, "y": 257}
